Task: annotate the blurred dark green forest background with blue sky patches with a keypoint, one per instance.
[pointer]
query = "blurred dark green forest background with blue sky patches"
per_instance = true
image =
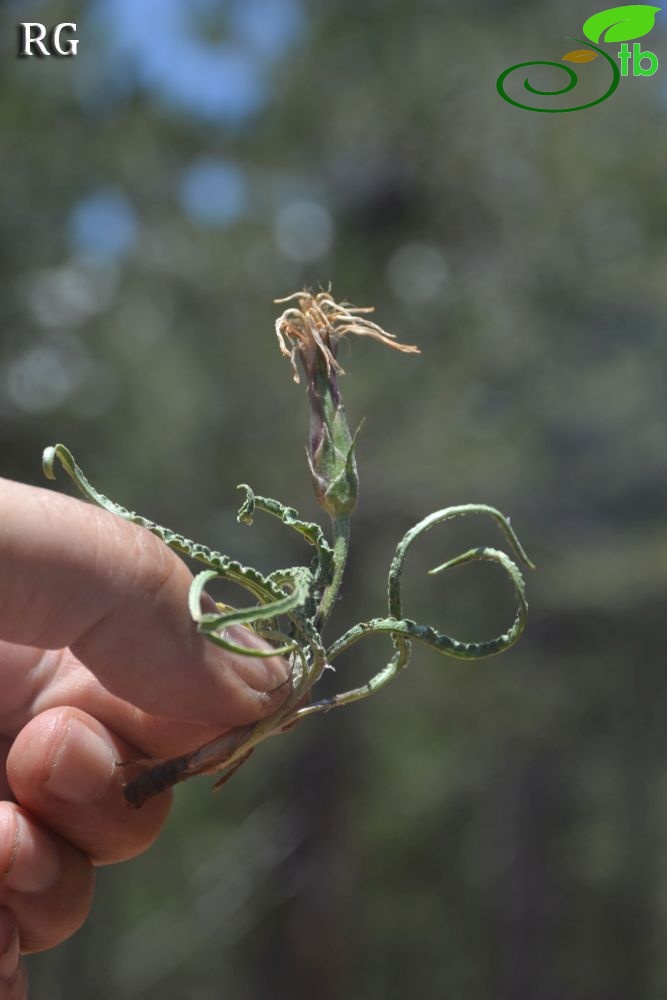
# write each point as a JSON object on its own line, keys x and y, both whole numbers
{"x": 492, "y": 830}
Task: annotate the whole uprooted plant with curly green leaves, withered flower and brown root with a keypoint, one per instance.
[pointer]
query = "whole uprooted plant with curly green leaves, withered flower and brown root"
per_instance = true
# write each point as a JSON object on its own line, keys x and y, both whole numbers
{"x": 290, "y": 607}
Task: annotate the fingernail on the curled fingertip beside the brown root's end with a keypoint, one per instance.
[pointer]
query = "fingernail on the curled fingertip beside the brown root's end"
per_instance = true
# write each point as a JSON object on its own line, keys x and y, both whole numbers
{"x": 83, "y": 766}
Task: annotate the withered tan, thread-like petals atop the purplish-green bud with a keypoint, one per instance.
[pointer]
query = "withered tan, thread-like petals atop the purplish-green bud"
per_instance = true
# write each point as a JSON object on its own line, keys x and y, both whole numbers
{"x": 314, "y": 327}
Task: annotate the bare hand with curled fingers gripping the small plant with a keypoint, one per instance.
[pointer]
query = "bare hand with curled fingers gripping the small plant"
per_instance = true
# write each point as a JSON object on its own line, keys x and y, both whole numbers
{"x": 100, "y": 662}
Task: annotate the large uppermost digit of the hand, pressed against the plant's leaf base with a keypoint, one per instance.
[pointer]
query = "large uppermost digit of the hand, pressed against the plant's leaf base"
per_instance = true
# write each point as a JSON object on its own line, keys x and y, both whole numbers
{"x": 73, "y": 575}
